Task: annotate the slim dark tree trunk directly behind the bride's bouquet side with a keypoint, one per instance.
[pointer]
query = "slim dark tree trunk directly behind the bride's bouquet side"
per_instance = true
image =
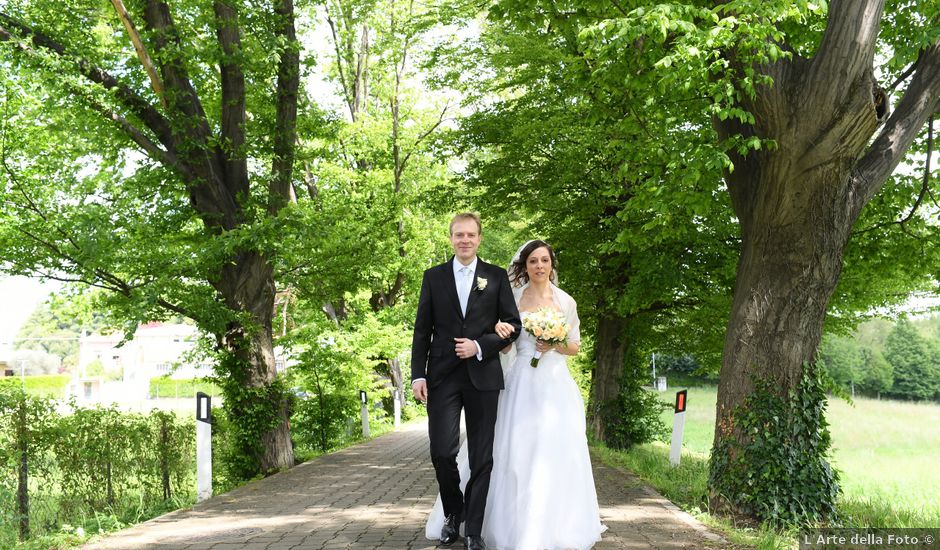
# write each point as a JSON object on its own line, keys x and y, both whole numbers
{"x": 608, "y": 371}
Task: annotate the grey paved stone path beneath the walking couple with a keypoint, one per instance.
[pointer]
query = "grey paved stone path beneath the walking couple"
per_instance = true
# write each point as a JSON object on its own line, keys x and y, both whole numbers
{"x": 376, "y": 496}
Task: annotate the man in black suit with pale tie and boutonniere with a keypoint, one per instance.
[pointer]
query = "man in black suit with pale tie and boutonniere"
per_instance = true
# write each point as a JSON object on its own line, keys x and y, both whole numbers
{"x": 455, "y": 365}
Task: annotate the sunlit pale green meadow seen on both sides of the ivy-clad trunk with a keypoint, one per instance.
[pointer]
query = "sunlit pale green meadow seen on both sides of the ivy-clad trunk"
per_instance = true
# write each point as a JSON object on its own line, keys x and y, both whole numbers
{"x": 886, "y": 452}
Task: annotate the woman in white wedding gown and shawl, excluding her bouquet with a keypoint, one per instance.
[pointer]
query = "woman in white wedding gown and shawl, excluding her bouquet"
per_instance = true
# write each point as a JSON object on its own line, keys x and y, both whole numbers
{"x": 542, "y": 494}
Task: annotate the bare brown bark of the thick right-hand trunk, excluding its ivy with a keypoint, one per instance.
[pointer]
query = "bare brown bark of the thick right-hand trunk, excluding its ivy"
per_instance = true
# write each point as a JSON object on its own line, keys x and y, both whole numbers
{"x": 793, "y": 238}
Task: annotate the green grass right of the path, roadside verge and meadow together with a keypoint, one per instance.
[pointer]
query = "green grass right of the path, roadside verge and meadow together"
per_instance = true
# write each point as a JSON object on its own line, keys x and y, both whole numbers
{"x": 884, "y": 450}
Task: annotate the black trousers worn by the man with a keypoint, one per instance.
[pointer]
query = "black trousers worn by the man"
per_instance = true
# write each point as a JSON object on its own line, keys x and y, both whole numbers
{"x": 445, "y": 401}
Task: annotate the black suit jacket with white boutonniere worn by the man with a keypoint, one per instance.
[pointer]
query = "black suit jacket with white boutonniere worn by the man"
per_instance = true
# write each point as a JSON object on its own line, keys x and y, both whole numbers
{"x": 439, "y": 321}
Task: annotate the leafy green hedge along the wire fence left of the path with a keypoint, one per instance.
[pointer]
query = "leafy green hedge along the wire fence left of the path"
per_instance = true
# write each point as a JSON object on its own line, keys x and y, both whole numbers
{"x": 91, "y": 461}
